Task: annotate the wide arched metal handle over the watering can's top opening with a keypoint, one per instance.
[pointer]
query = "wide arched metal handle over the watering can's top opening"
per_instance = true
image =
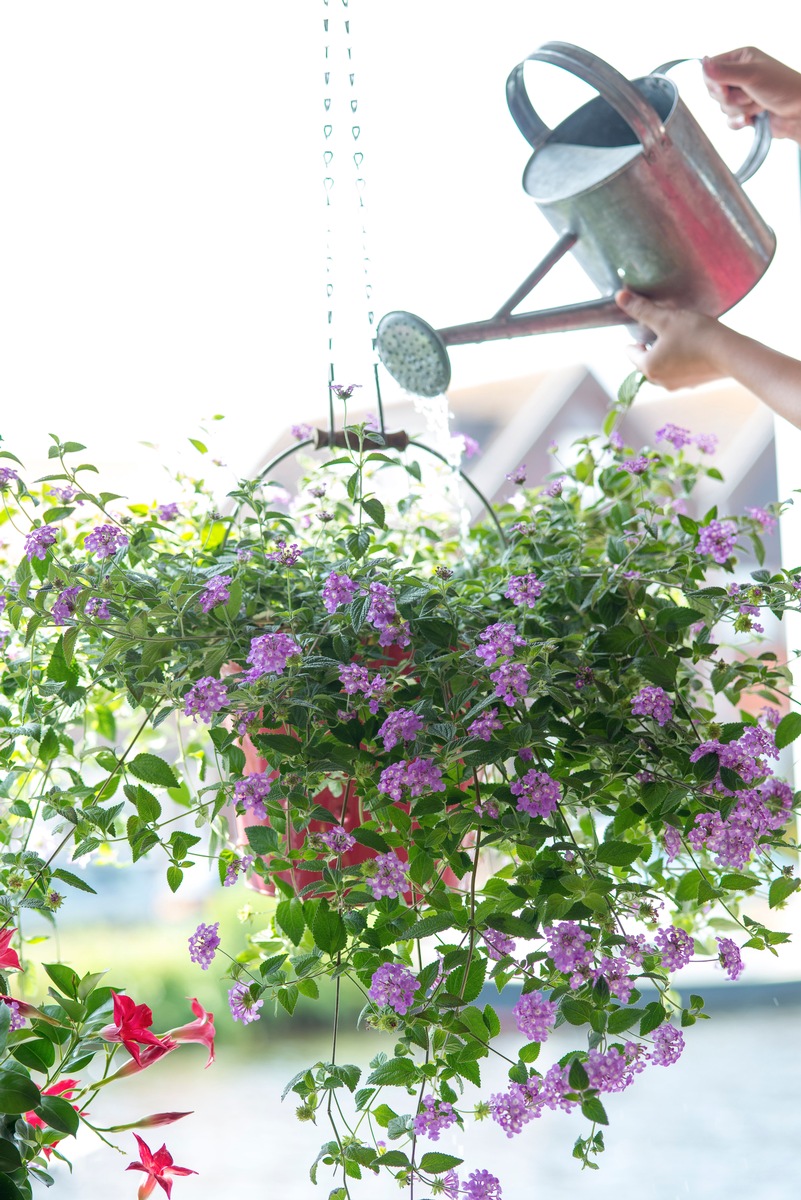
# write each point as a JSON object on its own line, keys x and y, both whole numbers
{"x": 611, "y": 85}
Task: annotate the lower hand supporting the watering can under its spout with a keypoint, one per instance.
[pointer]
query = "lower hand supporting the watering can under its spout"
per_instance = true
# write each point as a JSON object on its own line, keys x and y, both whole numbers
{"x": 688, "y": 350}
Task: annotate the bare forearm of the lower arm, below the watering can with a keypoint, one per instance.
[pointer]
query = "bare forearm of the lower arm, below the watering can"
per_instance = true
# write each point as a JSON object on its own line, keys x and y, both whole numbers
{"x": 774, "y": 377}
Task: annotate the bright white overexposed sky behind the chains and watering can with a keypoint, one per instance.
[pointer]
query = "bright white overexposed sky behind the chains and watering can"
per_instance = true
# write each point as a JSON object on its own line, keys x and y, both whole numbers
{"x": 164, "y": 219}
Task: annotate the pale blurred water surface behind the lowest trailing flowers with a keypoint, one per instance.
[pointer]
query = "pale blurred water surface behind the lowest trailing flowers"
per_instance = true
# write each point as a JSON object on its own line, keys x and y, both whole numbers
{"x": 724, "y": 1123}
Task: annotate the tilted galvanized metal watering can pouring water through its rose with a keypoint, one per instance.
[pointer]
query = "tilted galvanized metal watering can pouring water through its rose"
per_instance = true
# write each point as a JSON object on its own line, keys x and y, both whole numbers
{"x": 636, "y": 191}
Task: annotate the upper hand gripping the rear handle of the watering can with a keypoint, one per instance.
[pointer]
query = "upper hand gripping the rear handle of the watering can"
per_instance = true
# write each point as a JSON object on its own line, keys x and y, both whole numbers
{"x": 748, "y": 82}
